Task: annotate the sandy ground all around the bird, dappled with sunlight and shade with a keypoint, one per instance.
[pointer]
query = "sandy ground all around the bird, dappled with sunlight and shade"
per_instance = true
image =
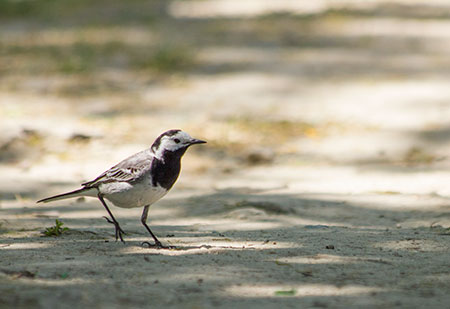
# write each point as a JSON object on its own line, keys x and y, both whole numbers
{"x": 325, "y": 182}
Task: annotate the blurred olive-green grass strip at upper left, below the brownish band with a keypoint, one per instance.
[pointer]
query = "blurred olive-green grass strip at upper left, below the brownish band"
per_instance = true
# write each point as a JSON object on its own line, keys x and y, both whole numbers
{"x": 82, "y": 57}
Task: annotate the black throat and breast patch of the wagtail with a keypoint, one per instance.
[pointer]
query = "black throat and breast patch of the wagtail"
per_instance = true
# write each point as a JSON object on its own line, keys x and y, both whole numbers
{"x": 165, "y": 171}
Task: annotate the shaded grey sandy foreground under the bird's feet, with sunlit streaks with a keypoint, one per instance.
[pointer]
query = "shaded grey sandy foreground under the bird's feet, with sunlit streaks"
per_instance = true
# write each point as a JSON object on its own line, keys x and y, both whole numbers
{"x": 233, "y": 259}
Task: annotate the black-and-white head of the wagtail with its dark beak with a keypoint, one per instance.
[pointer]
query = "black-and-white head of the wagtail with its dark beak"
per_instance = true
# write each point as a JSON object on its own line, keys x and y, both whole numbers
{"x": 173, "y": 141}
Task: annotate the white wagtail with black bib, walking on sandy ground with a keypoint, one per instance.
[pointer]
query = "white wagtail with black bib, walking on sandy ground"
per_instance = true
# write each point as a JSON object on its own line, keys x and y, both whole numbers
{"x": 139, "y": 180}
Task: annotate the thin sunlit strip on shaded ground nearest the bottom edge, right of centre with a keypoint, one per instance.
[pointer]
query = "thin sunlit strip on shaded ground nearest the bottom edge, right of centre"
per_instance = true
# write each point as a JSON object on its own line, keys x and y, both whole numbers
{"x": 299, "y": 290}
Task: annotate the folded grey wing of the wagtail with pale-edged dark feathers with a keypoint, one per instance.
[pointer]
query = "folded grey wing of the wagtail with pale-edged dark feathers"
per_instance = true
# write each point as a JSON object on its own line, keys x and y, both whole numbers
{"x": 128, "y": 170}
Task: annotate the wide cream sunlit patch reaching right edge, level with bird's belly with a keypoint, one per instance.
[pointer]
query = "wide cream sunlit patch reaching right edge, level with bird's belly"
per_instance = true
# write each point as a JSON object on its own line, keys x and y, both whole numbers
{"x": 366, "y": 188}
